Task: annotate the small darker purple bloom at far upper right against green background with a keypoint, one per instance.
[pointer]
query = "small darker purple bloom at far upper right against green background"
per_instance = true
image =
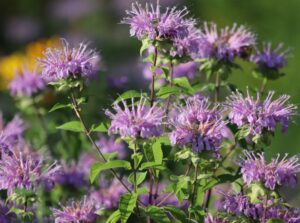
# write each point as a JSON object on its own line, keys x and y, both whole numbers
{"x": 271, "y": 58}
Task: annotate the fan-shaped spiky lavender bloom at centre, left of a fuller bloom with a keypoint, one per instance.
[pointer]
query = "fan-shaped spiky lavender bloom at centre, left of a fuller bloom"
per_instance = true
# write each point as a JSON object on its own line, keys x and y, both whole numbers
{"x": 138, "y": 121}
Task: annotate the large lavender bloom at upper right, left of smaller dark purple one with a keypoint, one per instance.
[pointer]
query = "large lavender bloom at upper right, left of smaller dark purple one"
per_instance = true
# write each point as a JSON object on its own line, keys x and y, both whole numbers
{"x": 226, "y": 44}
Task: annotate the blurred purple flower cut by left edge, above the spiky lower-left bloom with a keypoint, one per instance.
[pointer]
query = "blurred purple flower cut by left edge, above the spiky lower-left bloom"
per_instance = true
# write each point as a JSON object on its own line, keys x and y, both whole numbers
{"x": 12, "y": 132}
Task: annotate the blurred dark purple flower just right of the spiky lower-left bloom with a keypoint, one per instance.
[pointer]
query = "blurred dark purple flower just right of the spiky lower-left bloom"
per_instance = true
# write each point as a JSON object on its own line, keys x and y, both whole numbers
{"x": 72, "y": 174}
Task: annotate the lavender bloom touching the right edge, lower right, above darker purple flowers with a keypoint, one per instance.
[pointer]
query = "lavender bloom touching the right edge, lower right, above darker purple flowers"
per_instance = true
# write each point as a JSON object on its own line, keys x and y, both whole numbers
{"x": 276, "y": 173}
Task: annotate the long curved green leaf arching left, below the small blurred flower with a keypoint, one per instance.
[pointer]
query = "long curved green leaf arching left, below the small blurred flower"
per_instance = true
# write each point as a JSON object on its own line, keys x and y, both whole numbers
{"x": 96, "y": 168}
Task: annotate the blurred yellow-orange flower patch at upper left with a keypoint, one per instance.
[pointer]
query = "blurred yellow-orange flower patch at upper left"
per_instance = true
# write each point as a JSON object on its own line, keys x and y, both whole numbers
{"x": 12, "y": 64}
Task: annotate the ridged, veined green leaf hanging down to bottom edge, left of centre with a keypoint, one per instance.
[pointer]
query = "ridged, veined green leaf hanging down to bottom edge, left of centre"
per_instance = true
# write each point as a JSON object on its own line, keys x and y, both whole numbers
{"x": 126, "y": 206}
